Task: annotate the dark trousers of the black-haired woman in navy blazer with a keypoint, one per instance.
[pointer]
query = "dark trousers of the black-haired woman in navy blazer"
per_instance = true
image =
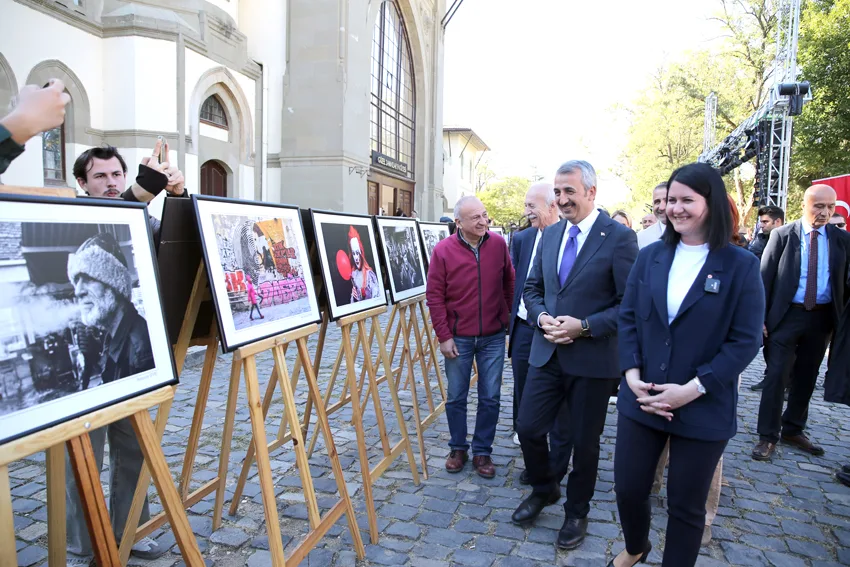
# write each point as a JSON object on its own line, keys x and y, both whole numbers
{"x": 692, "y": 464}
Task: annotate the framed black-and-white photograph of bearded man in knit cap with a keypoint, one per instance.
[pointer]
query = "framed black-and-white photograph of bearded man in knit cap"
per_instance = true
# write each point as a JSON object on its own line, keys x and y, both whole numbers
{"x": 81, "y": 323}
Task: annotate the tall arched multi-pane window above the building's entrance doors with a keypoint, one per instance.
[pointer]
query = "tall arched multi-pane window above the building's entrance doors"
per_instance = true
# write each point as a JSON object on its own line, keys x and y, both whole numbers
{"x": 393, "y": 108}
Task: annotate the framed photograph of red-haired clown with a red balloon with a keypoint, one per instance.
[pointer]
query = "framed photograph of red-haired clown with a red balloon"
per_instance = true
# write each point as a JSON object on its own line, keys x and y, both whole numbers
{"x": 348, "y": 253}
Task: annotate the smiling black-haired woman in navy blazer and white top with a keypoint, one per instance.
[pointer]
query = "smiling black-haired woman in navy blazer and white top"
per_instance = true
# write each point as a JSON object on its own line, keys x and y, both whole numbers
{"x": 690, "y": 322}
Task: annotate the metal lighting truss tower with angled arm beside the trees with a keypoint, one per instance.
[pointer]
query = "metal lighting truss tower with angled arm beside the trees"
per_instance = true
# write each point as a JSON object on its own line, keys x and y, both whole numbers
{"x": 766, "y": 134}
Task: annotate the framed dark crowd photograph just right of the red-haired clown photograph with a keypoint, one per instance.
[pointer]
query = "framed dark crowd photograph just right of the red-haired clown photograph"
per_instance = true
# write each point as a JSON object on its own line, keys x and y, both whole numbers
{"x": 402, "y": 257}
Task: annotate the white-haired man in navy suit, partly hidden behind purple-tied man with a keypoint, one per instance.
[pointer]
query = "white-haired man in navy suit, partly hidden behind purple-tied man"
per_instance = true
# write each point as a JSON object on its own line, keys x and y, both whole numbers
{"x": 541, "y": 210}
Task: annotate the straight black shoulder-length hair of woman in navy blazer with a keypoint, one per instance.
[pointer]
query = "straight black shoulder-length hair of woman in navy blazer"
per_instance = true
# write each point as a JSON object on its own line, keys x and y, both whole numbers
{"x": 706, "y": 181}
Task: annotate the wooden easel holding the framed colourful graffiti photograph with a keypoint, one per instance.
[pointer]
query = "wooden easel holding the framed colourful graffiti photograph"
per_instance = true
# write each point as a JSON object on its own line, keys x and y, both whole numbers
{"x": 244, "y": 360}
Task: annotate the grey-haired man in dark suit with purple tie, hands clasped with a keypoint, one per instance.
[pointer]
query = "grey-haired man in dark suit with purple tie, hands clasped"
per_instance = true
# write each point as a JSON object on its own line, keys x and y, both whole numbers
{"x": 573, "y": 295}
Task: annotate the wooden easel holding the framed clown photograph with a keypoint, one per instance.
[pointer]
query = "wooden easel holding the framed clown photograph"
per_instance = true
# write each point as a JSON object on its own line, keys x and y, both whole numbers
{"x": 358, "y": 408}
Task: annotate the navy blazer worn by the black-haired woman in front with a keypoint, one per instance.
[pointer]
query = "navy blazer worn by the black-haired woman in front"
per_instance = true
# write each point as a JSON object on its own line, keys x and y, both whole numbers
{"x": 714, "y": 337}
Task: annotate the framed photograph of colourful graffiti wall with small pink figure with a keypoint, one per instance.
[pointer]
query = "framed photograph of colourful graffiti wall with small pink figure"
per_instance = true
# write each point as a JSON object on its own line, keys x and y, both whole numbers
{"x": 258, "y": 266}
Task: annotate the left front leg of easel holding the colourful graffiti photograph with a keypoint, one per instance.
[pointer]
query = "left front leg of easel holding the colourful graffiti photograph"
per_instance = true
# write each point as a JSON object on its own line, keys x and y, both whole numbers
{"x": 252, "y": 388}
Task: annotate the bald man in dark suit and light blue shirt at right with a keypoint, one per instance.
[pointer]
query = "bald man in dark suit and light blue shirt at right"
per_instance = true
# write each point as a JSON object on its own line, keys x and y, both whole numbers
{"x": 804, "y": 270}
